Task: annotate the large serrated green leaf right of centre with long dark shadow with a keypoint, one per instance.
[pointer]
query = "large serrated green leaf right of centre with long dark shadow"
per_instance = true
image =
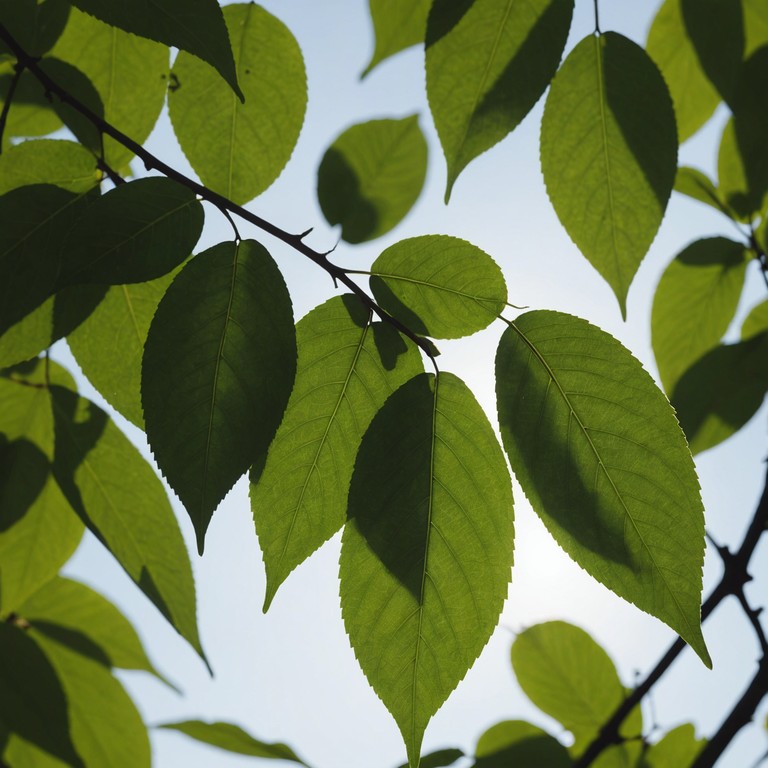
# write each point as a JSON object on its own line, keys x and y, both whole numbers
{"x": 598, "y": 451}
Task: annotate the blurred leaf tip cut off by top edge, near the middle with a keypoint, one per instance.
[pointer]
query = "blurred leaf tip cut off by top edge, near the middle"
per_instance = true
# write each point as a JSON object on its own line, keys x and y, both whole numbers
{"x": 397, "y": 25}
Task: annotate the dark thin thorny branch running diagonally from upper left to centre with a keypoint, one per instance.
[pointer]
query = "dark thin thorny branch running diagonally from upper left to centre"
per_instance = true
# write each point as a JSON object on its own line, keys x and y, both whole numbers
{"x": 151, "y": 162}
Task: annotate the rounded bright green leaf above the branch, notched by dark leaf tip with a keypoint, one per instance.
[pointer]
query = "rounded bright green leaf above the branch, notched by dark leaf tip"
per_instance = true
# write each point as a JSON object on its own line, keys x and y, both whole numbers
{"x": 239, "y": 149}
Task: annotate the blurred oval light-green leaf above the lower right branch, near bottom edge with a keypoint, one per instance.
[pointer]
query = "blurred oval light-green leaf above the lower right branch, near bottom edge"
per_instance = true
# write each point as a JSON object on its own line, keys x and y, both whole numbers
{"x": 568, "y": 676}
